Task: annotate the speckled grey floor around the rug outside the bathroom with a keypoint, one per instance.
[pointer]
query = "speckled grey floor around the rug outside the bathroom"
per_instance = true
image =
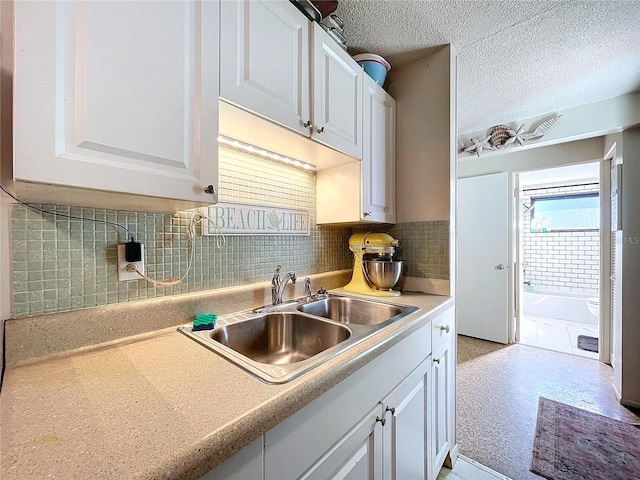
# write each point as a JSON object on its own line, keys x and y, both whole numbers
{"x": 498, "y": 387}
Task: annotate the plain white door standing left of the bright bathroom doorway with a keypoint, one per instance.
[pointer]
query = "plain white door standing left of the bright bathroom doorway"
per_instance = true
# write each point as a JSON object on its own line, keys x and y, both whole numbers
{"x": 483, "y": 257}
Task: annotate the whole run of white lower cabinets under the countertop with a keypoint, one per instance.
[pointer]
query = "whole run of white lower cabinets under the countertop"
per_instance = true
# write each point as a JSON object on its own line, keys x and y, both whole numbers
{"x": 388, "y": 420}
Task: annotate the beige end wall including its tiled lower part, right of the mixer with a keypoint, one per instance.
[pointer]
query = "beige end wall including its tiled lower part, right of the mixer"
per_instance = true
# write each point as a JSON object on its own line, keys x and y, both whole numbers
{"x": 425, "y": 92}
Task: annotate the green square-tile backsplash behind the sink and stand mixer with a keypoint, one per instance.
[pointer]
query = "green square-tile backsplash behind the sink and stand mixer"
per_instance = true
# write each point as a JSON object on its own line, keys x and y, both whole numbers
{"x": 61, "y": 264}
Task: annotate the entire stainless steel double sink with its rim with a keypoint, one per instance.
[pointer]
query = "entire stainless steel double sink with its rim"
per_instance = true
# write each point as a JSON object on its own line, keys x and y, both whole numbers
{"x": 284, "y": 341}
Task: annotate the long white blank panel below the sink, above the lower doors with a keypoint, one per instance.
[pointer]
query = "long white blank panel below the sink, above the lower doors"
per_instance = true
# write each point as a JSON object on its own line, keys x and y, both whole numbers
{"x": 308, "y": 437}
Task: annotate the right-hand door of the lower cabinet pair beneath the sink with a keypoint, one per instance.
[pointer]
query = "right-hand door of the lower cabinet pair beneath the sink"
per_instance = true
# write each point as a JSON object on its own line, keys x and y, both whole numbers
{"x": 406, "y": 438}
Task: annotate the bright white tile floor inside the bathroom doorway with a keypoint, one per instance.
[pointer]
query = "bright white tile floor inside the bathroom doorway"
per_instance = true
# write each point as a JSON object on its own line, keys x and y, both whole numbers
{"x": 557, "y": 335}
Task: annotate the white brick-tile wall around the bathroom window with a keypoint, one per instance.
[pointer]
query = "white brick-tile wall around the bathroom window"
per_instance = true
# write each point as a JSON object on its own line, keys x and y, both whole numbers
{"x": 561, "y": 261}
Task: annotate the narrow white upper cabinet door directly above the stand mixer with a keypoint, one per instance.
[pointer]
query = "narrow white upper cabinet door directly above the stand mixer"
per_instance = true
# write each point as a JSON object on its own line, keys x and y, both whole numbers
{"x": 379, "y": 154}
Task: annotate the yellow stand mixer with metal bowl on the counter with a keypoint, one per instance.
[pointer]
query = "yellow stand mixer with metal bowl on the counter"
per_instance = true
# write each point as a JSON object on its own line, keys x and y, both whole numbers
{"x": 380, "y": 248}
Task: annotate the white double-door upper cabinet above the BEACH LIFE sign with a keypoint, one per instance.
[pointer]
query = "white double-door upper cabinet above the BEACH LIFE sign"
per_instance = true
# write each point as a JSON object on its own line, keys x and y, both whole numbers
{"x": 278, "y": 65}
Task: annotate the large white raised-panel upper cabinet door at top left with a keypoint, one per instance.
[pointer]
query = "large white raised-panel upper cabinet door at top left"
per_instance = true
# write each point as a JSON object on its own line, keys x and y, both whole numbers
{"x": 118, "y": 96}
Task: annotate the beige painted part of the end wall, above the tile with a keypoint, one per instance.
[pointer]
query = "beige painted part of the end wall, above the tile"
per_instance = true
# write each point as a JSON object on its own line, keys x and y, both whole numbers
{"x": 425, "y": 92}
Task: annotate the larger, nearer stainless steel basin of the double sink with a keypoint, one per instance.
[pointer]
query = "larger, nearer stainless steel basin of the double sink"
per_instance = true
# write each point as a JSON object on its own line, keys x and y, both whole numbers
{"x": 280, "y": 338}
